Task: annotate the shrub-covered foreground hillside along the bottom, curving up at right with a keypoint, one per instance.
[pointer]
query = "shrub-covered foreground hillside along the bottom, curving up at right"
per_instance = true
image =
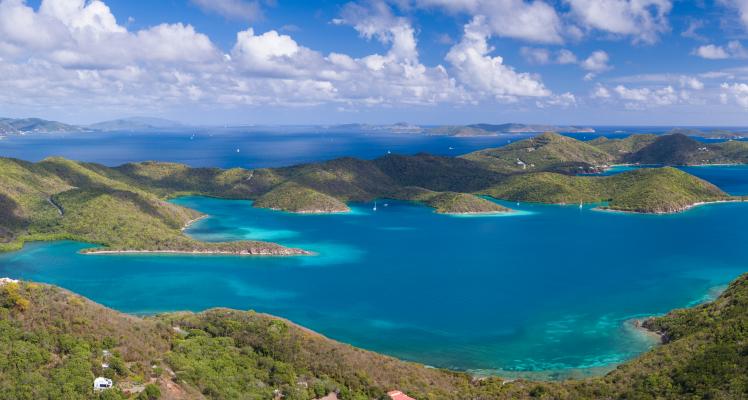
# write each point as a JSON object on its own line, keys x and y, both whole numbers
{"x": 51, "y": 345}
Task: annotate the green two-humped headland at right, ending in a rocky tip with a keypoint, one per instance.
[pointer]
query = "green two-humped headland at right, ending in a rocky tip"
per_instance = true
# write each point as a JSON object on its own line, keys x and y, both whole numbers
{"x": 645, "y": 190}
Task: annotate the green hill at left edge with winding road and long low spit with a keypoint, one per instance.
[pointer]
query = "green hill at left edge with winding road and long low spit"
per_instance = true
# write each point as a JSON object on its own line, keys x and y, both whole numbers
{"x": 61, "y": 199}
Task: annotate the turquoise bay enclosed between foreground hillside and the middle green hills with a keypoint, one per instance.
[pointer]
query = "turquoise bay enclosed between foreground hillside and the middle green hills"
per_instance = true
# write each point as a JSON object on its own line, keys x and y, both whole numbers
{"x": 548, "y": 290}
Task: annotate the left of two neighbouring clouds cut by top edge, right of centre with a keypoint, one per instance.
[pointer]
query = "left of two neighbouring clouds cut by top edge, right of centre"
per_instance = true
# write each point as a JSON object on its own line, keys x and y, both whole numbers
{"x": 534, "y": 21}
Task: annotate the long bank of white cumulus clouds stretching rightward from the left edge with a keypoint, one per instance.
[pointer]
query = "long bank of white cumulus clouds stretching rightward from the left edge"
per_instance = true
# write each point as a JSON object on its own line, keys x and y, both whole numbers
{"x": 75, "y": 54}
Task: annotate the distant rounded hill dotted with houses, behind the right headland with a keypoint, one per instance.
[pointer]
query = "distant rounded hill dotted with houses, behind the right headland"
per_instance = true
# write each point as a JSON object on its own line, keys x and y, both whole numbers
{"x": 546, "y": 152}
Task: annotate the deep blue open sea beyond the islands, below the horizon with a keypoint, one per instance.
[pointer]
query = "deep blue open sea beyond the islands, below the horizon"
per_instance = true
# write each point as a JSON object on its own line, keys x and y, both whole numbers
{"x": 218, "y": 147}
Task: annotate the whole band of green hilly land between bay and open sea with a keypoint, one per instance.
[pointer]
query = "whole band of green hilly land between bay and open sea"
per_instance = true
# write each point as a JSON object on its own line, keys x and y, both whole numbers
{"x": 125, "y": 208}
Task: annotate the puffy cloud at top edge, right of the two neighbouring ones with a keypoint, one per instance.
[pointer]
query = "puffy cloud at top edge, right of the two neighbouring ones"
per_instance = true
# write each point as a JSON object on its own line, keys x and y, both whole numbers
{"x": 644, "y": 20}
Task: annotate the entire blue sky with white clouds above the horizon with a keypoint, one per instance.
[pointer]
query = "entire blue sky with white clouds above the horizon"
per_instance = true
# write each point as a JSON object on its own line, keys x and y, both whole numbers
{"x": 284, "y": 62}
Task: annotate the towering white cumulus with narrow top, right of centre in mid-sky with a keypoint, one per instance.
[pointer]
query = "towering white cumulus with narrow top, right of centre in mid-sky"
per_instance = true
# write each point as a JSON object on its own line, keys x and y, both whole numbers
{"x": 479, "y": 71}
